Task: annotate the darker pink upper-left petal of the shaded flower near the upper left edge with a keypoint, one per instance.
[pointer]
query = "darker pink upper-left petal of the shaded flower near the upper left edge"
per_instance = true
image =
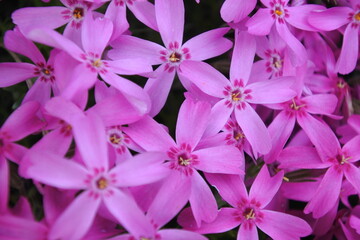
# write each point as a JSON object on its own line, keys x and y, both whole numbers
{"x": 15, "y": 41}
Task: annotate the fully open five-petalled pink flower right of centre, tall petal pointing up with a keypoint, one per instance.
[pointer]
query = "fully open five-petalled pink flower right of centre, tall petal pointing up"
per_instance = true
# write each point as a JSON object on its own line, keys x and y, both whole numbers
{"x": 236, "y": 95}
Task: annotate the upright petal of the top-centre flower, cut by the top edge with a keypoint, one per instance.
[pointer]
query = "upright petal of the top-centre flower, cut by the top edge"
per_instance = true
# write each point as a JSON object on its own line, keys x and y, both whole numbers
{"x": 170, "y": 20}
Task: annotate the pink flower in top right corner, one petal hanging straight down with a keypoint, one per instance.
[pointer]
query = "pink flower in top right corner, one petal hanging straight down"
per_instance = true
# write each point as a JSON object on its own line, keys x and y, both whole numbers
{"x": 340, "y": 16}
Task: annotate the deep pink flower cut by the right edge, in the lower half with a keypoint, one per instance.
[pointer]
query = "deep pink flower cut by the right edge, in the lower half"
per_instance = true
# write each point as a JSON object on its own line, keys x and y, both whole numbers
{"x": 338, "y": 161}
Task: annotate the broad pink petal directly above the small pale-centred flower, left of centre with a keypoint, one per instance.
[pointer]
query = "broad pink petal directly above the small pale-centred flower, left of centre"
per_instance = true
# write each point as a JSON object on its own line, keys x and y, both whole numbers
{"x": 111, "y": 110}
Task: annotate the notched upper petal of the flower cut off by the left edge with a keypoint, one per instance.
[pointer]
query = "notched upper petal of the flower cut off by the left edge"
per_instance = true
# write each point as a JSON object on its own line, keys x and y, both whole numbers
{"x": 23, "y": 121}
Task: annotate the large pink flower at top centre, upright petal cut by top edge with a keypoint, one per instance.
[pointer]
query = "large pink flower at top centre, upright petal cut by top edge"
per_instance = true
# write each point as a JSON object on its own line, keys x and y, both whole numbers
{"x": 170, "y": 21}
